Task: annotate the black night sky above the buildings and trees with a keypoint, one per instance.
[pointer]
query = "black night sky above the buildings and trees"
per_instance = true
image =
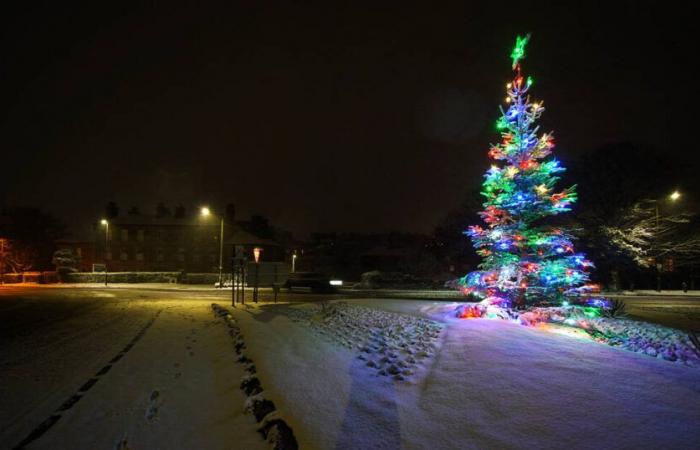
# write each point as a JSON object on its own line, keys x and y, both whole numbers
{"x": 320, "y": 116}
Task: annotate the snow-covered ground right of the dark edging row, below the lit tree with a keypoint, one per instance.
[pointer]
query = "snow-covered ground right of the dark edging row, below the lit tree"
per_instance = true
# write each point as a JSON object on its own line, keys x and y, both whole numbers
{"x": 480, "y": 384}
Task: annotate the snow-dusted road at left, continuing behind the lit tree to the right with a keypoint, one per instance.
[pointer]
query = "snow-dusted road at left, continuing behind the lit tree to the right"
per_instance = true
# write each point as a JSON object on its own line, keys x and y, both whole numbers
{"x": 150, "y": 366}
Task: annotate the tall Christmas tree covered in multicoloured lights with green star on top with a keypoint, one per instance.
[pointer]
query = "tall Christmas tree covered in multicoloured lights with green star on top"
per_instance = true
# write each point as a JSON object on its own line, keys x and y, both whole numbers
{"x": 525, "y": 261}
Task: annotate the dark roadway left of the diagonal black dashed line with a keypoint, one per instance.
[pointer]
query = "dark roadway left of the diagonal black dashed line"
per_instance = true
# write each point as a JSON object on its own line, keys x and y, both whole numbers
{"x": 50, "y": 347}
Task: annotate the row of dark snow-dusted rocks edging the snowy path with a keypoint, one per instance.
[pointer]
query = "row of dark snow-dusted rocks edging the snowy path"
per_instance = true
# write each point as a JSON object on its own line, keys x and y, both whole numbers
{"x": 273, "y": 428}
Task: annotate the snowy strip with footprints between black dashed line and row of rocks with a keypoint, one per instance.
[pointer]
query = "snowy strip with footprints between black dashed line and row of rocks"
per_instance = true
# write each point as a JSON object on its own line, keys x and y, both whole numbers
{"x": 177, "y": 387}
